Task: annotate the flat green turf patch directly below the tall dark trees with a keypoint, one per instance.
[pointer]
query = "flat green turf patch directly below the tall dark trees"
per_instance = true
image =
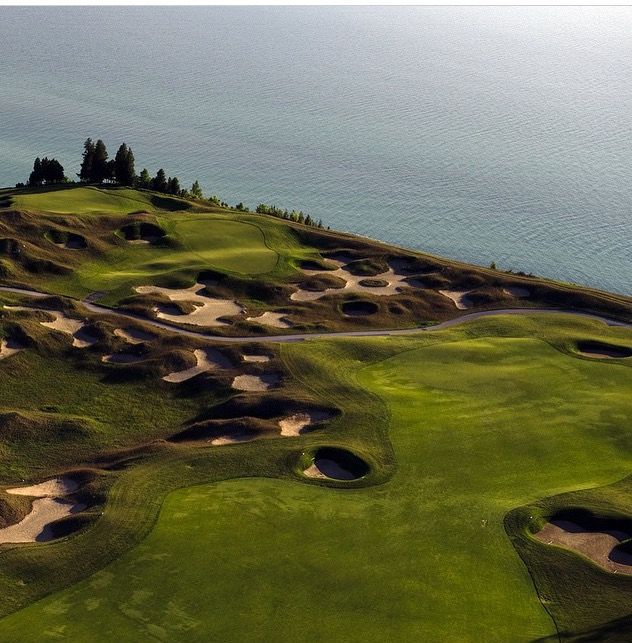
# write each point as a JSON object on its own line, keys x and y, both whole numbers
{"x": 93, "y": 200}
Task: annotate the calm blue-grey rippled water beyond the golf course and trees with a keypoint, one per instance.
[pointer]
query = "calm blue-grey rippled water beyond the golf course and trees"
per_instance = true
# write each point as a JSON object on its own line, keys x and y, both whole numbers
{"x": 480, "y": 133}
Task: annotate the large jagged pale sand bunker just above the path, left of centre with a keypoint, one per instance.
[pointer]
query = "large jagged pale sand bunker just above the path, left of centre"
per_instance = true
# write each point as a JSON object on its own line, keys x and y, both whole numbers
{"x": 207, "y": 309}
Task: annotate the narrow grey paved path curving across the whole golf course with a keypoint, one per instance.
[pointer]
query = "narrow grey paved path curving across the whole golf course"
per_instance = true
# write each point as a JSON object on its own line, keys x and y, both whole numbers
{"x": 297, "y": 337}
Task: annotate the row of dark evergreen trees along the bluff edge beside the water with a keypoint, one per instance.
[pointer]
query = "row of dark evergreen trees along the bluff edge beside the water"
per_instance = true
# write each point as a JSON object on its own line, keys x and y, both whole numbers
{"x": 97, "y": 167}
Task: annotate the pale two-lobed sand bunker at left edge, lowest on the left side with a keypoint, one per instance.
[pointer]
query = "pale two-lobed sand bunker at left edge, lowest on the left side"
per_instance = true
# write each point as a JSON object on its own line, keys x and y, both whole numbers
{"x": 49, "y": 507}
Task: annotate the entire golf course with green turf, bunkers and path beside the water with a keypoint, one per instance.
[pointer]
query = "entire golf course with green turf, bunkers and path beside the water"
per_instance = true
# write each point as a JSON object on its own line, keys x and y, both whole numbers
{"x": 218, "y": 425}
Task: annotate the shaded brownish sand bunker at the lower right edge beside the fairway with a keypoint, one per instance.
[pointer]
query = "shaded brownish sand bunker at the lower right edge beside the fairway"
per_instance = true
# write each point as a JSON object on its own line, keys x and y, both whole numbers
{"x": 600, "y": 546}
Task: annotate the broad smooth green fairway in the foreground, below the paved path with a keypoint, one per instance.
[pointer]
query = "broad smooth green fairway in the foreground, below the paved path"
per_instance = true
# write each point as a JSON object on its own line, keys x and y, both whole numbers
{"x": 423, "y": 556}
